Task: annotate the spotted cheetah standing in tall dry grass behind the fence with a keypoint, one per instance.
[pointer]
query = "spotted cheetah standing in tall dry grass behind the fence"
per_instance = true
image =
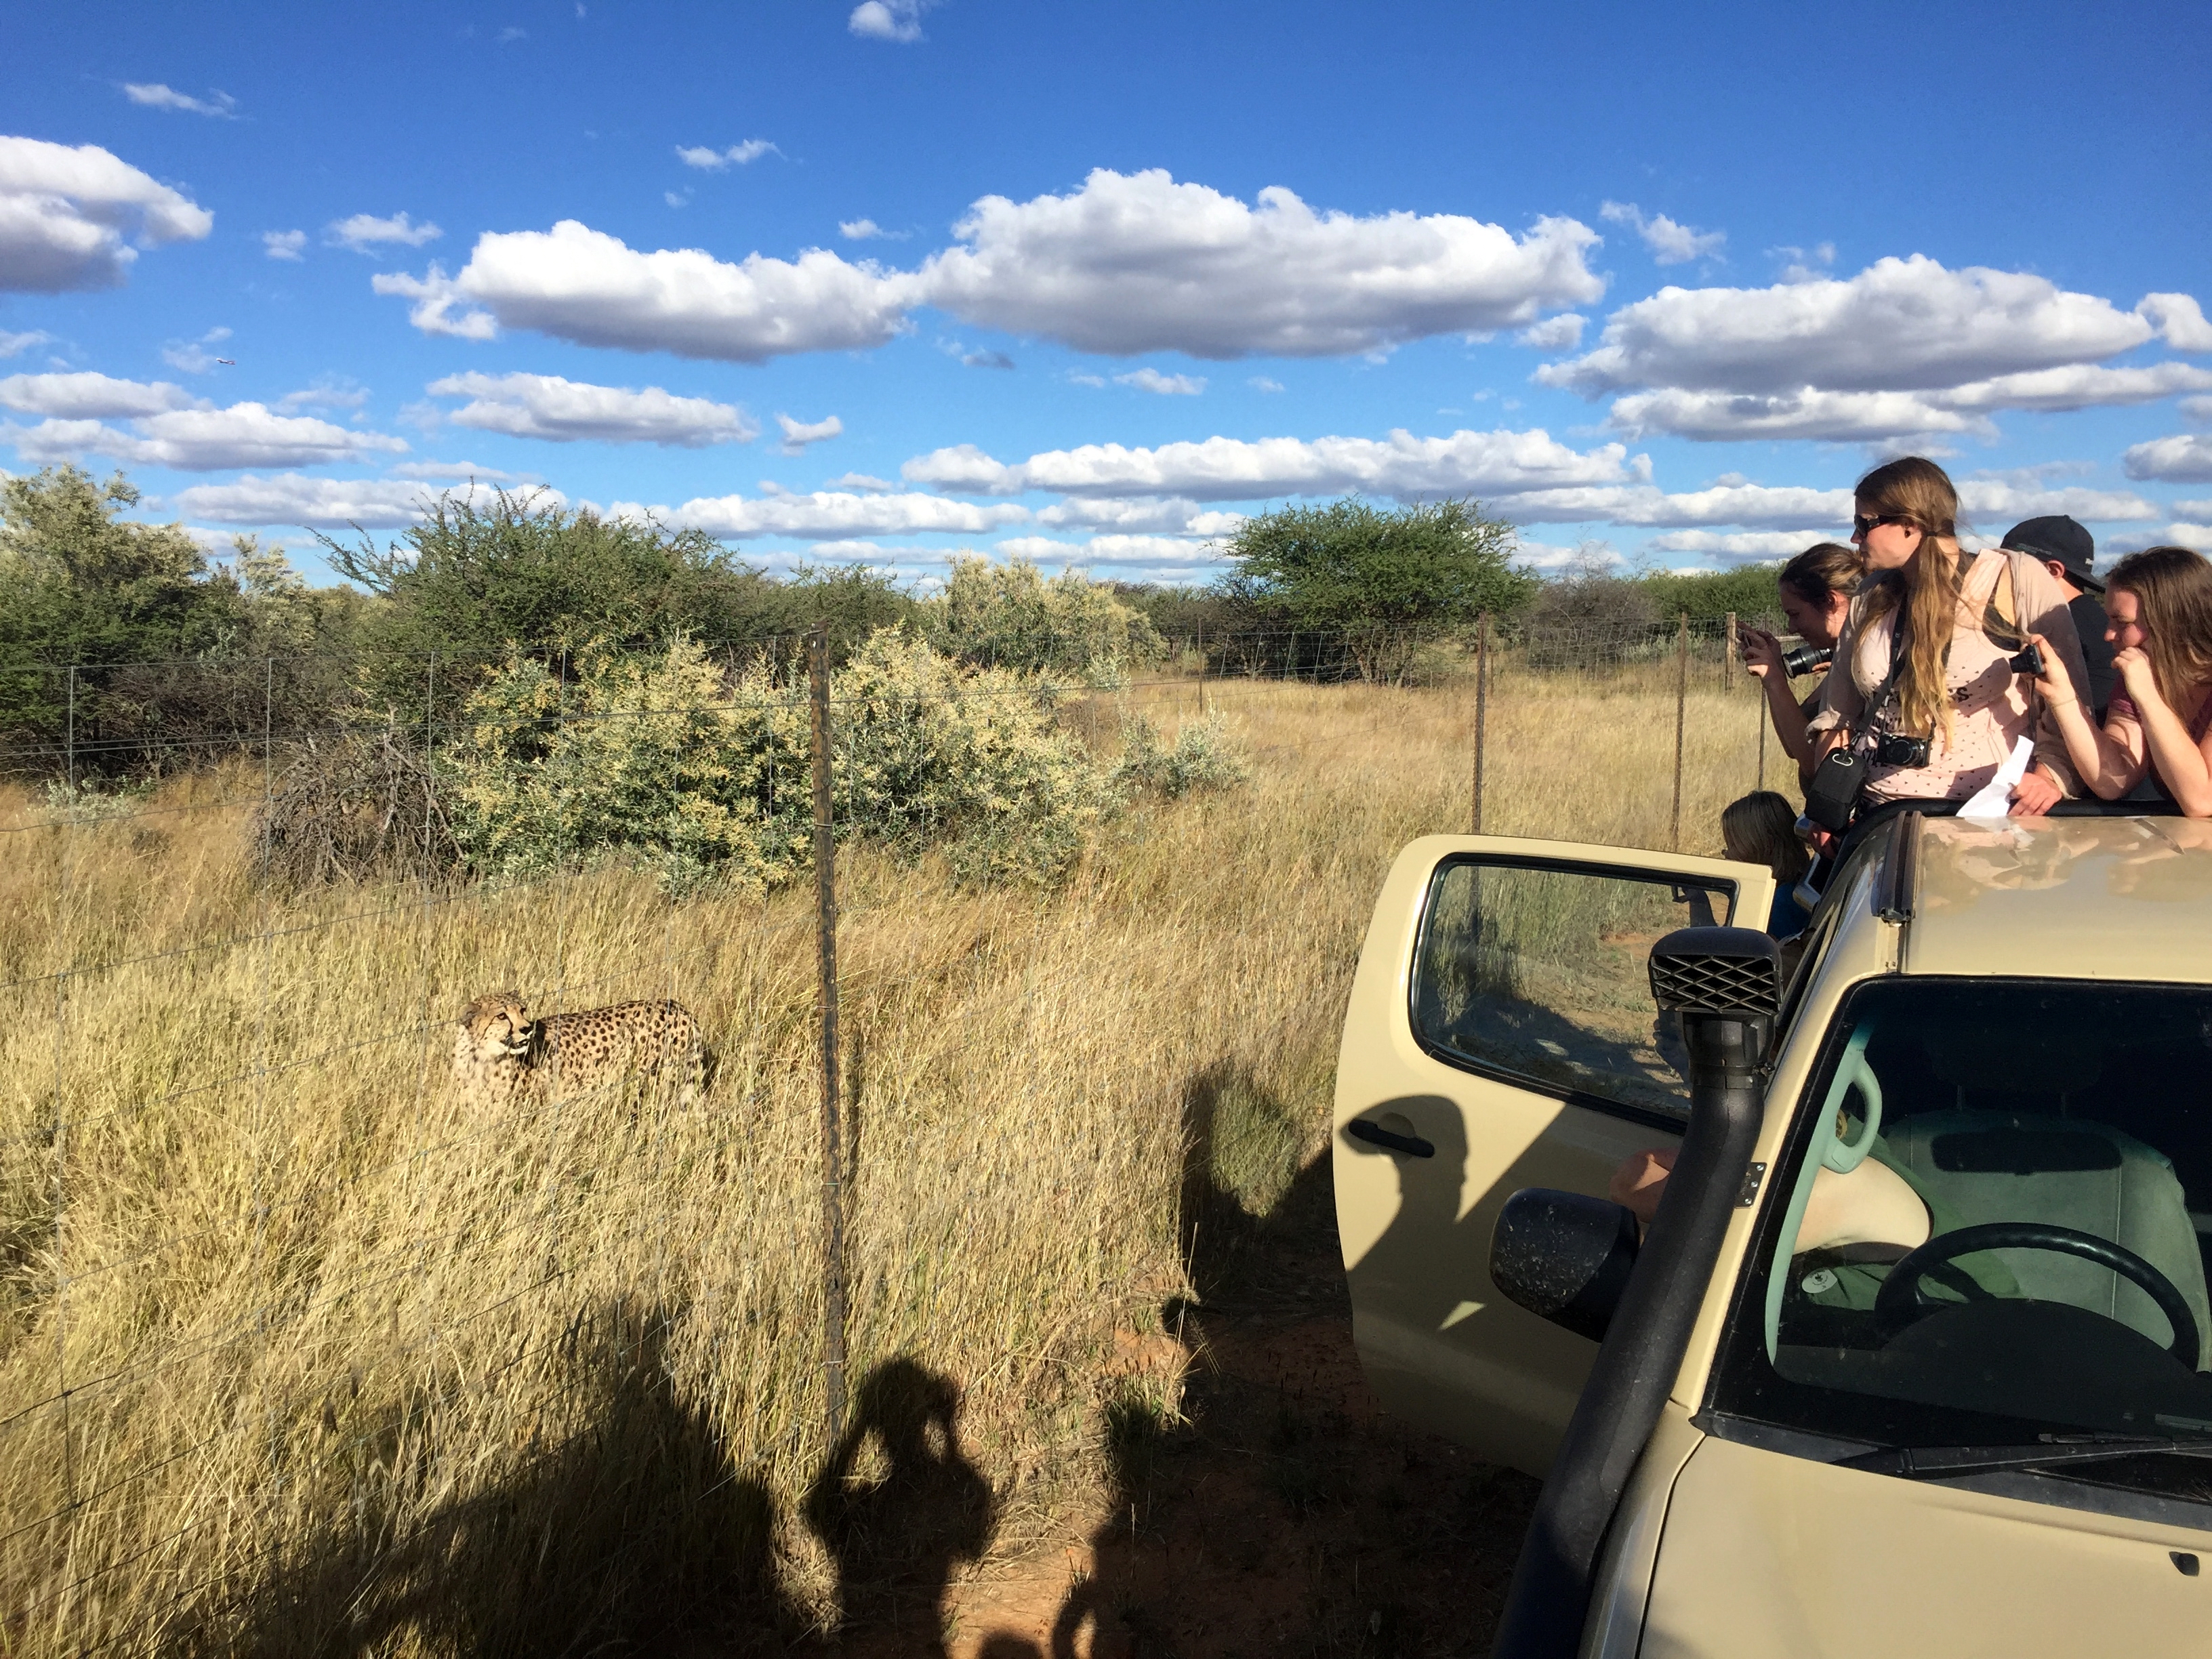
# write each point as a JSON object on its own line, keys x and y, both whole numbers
{"x": 501, "y": 1050}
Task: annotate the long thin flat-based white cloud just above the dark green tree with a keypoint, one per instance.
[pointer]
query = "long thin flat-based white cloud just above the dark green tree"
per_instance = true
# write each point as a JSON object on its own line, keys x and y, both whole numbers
{"x": 1468, "y": 463}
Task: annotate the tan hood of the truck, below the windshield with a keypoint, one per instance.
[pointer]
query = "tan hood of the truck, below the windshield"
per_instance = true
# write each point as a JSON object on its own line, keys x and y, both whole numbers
{"x": 1766, "y": 1556}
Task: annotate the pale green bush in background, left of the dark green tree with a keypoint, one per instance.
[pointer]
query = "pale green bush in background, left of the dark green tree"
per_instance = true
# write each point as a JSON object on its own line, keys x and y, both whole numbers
{"x": 1012, "y": 616}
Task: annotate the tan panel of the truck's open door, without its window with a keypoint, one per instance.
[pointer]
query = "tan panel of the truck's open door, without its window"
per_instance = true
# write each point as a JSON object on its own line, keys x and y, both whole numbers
{"x": 1441, "y": 1346}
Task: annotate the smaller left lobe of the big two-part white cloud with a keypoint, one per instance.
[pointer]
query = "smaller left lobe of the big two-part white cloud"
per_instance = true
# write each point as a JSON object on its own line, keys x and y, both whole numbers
{"x": 585, "y": 286}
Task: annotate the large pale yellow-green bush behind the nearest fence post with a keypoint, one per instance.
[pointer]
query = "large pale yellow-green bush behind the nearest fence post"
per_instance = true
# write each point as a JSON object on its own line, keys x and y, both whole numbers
{"x": 707, "y": 778}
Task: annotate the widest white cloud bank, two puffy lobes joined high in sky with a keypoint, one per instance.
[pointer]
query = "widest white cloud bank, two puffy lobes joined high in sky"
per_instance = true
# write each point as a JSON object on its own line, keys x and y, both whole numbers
{"x": 1125, "y": 264}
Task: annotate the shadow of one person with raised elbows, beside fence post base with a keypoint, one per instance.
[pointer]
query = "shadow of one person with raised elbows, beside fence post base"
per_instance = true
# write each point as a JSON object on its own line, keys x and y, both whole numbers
{"x": 899, "y": 1530}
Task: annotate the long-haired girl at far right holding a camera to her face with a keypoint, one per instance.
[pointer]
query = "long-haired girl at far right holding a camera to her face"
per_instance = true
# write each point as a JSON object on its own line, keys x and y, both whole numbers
{"x": 2158, "y": 729}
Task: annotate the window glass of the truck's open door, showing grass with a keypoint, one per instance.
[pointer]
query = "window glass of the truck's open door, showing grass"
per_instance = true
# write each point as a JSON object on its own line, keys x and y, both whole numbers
{"x": 1541, "y": 974}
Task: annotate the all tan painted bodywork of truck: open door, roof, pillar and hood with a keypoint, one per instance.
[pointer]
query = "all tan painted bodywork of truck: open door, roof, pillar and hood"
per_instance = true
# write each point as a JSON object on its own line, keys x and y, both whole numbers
{"x": 1726, "y": 1550}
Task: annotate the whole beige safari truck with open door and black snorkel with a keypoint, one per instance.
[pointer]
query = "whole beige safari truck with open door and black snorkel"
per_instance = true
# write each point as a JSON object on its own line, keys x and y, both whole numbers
{"x": 1764, "y": 1432}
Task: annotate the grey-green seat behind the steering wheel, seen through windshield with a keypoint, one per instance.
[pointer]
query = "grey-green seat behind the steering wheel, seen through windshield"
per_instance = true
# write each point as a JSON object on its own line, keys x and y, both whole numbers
{"x": 2069, "y": 1173}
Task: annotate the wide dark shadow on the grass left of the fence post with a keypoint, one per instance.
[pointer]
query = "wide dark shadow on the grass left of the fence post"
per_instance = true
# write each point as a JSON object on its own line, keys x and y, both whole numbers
{"x": 627, "y": 1530}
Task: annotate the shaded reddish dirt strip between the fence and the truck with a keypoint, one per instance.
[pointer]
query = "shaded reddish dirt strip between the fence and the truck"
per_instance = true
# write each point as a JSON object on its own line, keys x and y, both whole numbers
{"x": 1284, "y": 1516}
